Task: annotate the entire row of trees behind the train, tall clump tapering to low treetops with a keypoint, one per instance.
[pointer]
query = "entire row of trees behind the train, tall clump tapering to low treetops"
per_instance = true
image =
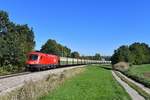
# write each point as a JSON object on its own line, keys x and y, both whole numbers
{"x": 52, "y": 47}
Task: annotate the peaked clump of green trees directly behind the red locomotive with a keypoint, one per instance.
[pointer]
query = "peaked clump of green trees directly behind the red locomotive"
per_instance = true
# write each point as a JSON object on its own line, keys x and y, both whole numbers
{"x": 52, "y": 47}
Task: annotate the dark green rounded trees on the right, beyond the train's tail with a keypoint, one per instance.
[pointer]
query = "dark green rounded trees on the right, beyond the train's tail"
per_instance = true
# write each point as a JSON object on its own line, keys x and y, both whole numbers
{"x": 136, "y": 53}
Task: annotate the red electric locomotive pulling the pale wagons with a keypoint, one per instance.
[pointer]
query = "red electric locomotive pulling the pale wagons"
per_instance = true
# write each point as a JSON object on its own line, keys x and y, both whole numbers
{"x": 41, "y": 61}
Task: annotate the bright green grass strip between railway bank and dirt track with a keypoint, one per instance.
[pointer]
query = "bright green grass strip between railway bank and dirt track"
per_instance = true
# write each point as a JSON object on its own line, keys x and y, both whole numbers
{"x": 94, "y": 84}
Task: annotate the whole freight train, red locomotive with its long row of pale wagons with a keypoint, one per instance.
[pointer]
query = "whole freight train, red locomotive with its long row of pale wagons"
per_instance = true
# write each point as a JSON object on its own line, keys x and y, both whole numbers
{"x": 41, "y": 61}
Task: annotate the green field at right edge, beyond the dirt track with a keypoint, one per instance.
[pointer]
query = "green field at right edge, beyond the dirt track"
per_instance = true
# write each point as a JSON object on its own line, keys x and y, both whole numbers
{"x": 140, "y": 73}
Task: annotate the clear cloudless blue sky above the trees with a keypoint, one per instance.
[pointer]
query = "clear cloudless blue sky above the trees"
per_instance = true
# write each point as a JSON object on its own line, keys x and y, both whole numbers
{"x": 87, "y": 26}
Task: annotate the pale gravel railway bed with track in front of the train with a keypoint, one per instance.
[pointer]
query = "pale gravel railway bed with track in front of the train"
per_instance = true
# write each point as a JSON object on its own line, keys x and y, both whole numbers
{"x": 14, "y": 81}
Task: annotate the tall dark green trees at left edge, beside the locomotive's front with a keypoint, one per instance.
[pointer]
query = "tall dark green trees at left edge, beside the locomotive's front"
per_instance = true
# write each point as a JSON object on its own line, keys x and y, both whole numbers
{"x": 15, "y": 43}
